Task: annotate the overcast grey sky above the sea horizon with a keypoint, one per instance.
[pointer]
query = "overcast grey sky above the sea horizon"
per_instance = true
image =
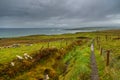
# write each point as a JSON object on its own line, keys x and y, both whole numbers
{"x": 59, "y": 13}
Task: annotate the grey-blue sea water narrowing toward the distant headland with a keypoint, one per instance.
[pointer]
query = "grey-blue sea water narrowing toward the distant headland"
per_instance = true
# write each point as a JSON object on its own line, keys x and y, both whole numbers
{"x": 17, "y": 32}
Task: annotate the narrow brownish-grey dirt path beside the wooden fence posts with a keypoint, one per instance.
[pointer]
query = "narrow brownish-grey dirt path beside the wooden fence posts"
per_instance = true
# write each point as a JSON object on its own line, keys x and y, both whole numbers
{"x": 94, "y": 73}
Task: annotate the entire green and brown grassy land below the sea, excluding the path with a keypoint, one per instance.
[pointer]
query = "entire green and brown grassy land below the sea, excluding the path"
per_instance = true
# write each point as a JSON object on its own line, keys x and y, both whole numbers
{"x": 65, "y": 57}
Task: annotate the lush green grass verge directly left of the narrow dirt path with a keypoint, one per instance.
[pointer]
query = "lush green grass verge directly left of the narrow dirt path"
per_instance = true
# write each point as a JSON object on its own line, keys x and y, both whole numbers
{"x": 78, "y": 64}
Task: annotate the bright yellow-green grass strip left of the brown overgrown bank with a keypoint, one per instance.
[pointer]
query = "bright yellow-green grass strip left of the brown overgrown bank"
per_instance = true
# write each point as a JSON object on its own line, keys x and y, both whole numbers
{"x": 8, "y": 54}
